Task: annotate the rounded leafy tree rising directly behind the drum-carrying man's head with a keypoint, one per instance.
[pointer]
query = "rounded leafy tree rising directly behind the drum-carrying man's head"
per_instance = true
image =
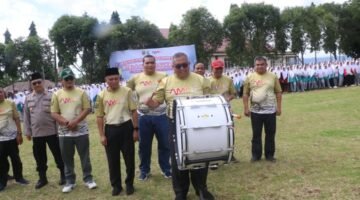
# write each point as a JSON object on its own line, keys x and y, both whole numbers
{"x": 198, "y": 27}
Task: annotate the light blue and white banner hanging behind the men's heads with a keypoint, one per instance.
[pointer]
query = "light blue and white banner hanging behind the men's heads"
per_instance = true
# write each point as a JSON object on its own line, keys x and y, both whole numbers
{"x": 130, "y": 62}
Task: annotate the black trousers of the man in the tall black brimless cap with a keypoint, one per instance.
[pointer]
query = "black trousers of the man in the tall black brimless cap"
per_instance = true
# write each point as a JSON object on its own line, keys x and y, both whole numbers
{"x": 120, "y": 139}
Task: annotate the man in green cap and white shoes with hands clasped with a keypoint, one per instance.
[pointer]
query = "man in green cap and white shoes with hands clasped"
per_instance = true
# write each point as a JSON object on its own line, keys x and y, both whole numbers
{"x": 69, "y": 107}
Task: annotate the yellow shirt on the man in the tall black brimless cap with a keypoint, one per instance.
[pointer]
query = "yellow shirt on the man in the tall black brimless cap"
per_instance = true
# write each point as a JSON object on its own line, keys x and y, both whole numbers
{"x": 115, "y": 106}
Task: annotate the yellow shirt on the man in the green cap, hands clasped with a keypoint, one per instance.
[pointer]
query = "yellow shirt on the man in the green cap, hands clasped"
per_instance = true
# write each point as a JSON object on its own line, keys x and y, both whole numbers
{"x": 69, "y": 104}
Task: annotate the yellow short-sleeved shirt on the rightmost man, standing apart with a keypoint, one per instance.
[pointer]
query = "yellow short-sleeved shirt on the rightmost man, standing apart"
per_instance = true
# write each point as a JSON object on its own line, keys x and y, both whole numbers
{"x": 261, "y": 89}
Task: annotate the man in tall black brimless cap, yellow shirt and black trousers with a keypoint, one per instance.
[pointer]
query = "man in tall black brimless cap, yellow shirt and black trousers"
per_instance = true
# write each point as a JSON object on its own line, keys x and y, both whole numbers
{"x": 115, "y": 109}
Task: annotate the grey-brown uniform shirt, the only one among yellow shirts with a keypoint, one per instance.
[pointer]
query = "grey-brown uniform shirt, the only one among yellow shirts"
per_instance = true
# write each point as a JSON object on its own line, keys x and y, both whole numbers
{"x": 37, "y": 118}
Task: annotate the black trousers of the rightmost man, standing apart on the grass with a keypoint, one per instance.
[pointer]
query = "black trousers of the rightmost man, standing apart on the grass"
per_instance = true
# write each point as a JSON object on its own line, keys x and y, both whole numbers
{"x": 268, "y": 121}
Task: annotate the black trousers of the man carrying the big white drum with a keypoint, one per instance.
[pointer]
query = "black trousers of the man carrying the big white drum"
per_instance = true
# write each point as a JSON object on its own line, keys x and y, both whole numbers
{"x": 181, "y": 178}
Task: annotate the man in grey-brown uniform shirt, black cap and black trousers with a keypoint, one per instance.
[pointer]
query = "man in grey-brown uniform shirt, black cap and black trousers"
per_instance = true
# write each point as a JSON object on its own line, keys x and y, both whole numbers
{"x": 42, "y": 128}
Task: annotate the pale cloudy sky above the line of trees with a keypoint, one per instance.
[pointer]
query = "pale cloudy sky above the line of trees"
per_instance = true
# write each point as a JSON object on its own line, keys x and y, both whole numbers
{"x": 17, "y": 15}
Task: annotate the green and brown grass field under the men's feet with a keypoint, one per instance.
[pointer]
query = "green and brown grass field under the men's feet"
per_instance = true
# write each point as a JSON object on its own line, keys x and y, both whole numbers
{"x": 318, "y": 152}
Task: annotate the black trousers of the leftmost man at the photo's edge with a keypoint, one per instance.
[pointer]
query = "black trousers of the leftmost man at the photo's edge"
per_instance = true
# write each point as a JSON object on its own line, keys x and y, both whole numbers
{"x": 9, "y": 149}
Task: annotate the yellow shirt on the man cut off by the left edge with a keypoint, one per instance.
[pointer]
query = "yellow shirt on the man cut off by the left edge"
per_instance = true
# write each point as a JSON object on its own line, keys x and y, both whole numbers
{"x": 8, "y": 112}
